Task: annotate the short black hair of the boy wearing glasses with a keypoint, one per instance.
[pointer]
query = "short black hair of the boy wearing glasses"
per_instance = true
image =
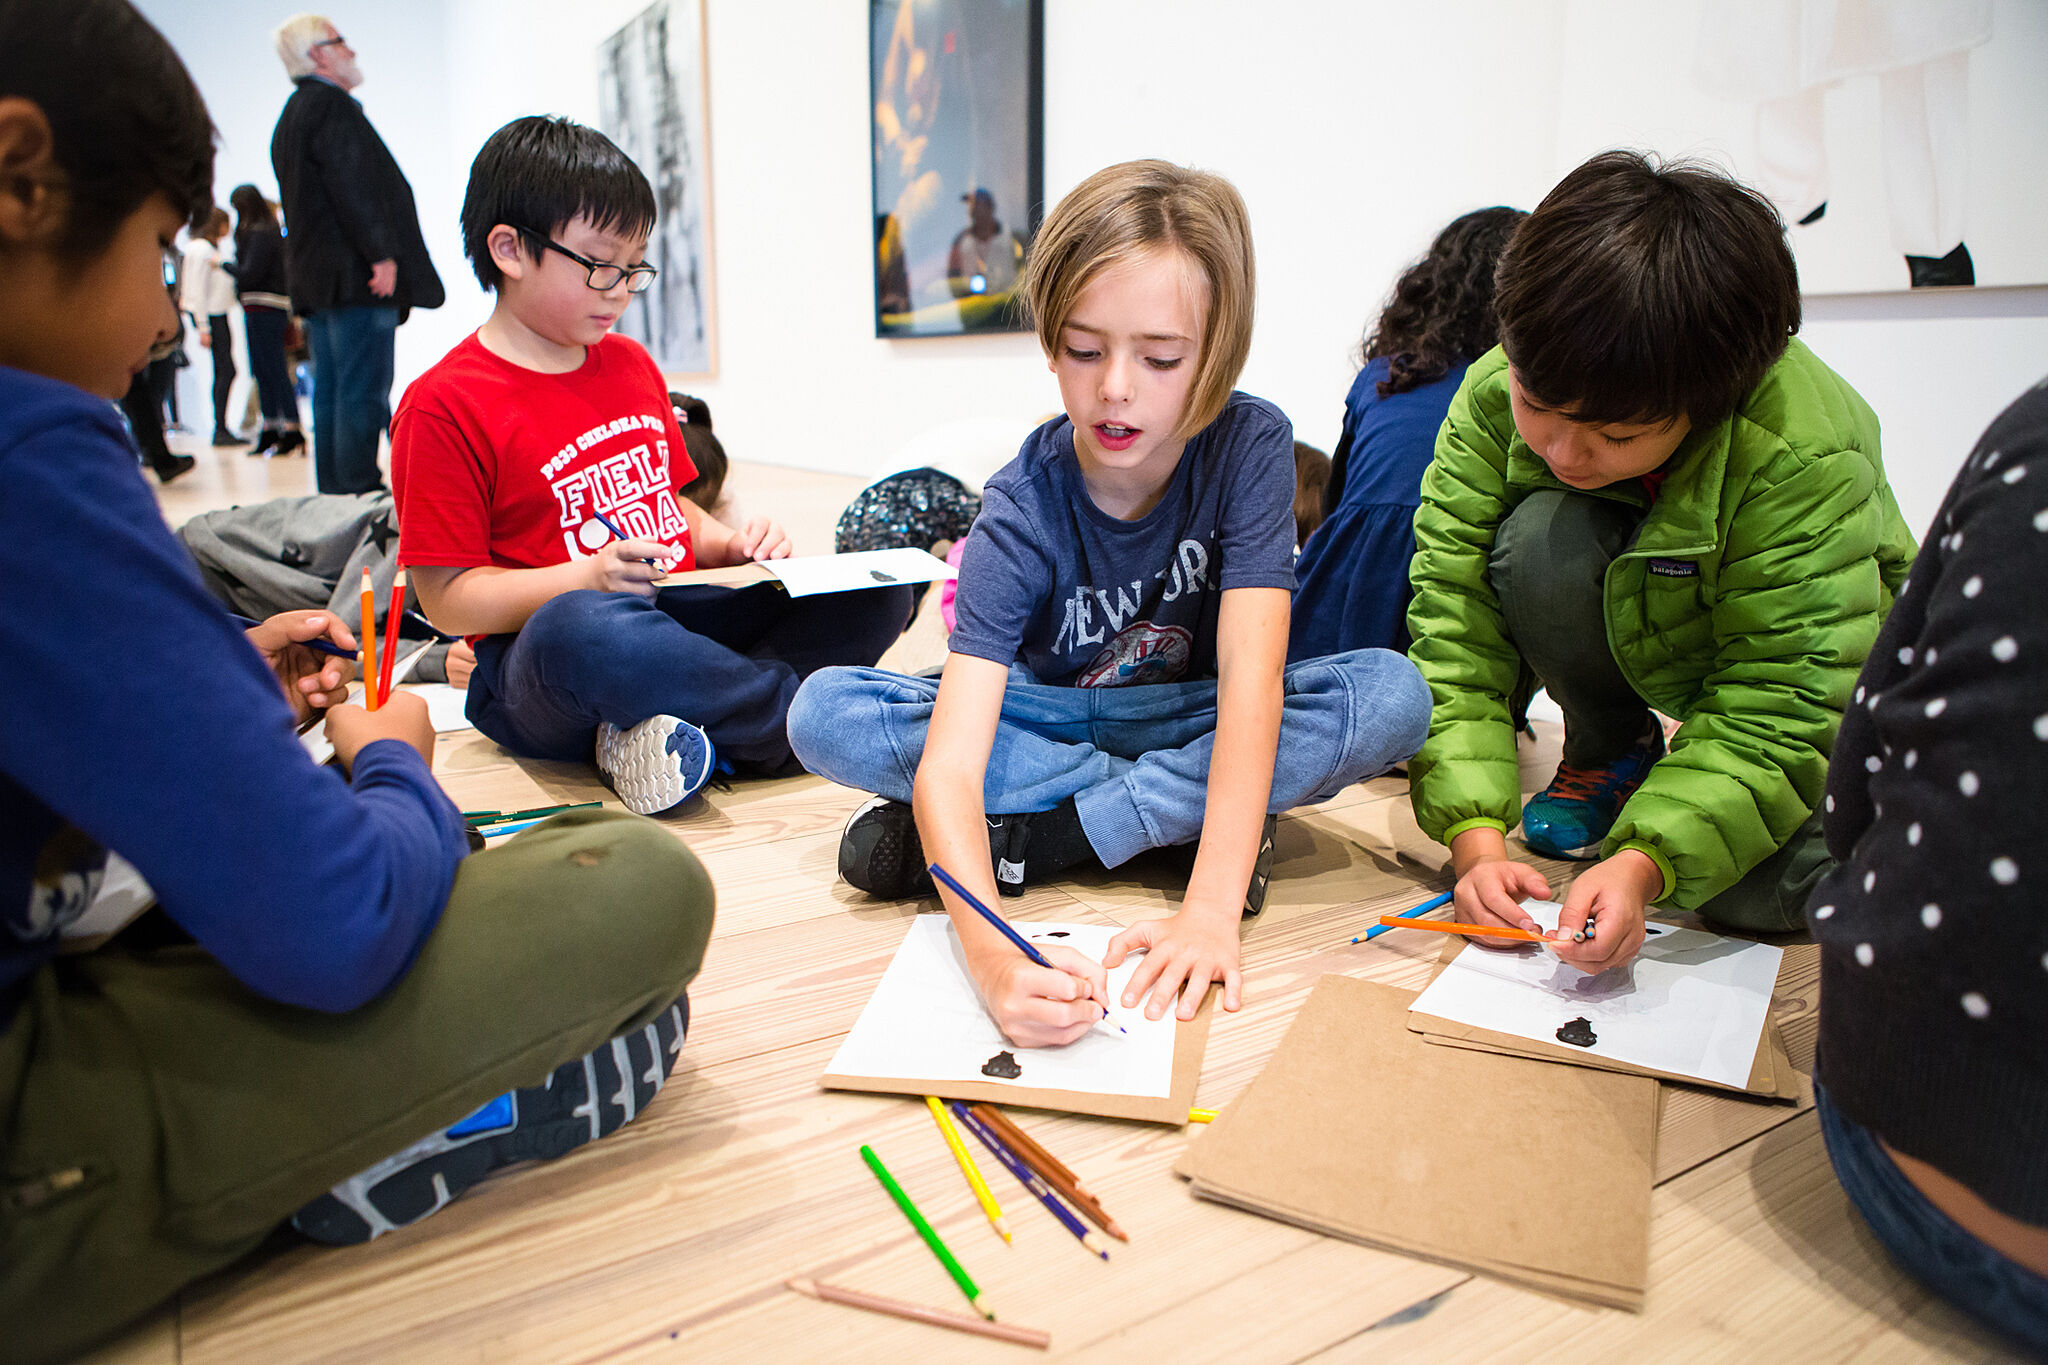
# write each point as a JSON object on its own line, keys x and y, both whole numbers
{"x": 540, "y": 175}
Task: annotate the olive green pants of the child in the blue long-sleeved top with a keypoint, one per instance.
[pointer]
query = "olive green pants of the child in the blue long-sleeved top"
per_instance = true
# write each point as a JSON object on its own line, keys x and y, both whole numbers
{"x": 159, "y": 1120}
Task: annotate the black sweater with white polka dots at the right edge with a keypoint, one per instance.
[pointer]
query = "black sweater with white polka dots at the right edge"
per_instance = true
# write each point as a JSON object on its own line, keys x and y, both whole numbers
{"x": 1934, "y": 924}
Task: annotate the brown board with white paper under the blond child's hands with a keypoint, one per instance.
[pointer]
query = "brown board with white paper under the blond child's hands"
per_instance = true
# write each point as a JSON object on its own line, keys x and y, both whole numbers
{"x": 927, "y": 1032}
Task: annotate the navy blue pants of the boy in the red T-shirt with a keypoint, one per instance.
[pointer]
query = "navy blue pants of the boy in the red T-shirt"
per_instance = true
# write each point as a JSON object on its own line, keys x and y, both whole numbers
{"x": 726, "y": 660}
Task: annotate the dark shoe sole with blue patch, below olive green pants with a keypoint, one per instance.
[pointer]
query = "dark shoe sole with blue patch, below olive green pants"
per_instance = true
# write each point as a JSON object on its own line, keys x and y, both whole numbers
{"x": 577, "y": 1104}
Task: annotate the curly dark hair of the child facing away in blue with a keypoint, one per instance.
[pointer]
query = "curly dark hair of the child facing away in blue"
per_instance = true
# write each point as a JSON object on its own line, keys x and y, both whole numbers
{"x": 1441, "y": 310}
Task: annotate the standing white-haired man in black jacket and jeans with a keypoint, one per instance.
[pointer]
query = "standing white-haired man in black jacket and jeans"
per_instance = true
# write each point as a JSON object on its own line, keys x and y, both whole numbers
{"x": 353, "y": 251}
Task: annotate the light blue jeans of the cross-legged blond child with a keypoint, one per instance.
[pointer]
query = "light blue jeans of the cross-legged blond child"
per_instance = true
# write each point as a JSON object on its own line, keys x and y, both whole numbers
{"x": 1134, "y": 760}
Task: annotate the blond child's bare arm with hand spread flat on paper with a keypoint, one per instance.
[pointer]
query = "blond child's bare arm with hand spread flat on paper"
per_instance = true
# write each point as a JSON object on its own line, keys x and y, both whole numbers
{"x": 1199, "y": 944}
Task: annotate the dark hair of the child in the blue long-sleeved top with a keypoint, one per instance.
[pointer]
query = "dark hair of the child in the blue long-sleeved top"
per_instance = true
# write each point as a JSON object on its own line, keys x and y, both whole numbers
{"x": 124, "y": 114}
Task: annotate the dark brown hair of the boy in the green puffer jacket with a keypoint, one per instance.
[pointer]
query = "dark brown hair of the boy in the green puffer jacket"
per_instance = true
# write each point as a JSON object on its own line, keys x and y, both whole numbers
{"x": 1641, "y": 292}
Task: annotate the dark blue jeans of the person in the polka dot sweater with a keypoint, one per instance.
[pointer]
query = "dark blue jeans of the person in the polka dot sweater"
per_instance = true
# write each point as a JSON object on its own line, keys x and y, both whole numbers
{"x": 1926, "y": 1243}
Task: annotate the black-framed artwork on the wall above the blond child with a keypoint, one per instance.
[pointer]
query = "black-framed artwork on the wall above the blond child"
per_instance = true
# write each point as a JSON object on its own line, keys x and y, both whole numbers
{"x": 959, "y": 161}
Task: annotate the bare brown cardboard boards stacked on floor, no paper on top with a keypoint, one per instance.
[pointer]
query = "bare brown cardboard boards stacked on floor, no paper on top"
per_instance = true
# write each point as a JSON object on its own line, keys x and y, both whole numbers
{"x": 1361, "y": 1129}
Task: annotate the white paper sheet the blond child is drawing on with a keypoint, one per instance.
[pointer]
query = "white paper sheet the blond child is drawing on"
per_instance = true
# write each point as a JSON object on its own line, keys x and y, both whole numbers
{"x": 927, "y": 1022}
